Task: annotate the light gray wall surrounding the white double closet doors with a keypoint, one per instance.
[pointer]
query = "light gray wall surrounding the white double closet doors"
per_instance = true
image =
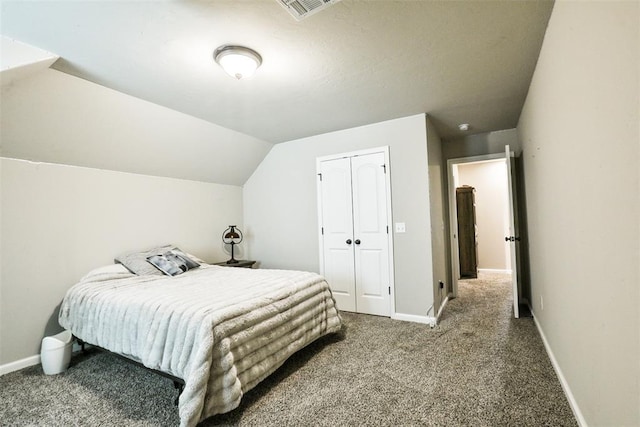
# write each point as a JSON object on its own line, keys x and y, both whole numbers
{"x": 280, "y": 204}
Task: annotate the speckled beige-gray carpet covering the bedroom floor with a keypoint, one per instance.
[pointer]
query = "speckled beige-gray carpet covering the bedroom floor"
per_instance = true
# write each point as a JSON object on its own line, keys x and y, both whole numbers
{"x": 478, "y": 367}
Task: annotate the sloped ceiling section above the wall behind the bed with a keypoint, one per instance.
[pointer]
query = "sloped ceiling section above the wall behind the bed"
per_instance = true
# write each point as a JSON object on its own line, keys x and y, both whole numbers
{"x": 53, "y": 117}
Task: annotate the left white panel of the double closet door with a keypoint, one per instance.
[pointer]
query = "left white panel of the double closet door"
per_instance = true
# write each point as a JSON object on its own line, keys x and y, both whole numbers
{"x": 337, "y": 220}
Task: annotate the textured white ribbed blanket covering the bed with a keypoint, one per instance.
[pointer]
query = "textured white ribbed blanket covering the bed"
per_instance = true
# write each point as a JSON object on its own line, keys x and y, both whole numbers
{"x": 222, "y": 330}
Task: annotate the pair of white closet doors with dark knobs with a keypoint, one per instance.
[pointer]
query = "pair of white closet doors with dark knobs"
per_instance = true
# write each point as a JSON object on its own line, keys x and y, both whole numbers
{"x": 354, "y": 231}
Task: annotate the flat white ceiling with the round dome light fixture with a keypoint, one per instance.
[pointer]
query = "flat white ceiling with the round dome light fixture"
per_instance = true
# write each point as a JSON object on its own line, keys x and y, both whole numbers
{"x": 355, "y": 63}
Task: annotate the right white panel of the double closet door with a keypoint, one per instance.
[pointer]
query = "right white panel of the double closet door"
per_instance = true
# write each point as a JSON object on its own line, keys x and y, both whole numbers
{"x": 370, "y": 234}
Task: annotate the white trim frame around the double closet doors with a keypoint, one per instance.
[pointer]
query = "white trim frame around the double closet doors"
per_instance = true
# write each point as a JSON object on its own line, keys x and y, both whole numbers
{"x": 387, "y": 178}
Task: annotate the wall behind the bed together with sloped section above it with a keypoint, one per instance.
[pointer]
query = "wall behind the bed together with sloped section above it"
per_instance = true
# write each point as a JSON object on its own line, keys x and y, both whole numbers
{"x": 58, "y": 221}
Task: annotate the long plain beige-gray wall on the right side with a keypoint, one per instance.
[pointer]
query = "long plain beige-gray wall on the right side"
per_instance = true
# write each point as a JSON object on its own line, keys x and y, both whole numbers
{"x": 580, "y": 141}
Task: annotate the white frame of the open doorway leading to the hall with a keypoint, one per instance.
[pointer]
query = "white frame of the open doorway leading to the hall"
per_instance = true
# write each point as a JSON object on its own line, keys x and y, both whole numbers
{"x": 453, "y": 212}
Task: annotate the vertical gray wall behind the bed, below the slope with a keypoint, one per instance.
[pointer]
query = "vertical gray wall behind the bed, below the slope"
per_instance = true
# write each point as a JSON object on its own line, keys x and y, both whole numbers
{"x": 59, "y": 222}
